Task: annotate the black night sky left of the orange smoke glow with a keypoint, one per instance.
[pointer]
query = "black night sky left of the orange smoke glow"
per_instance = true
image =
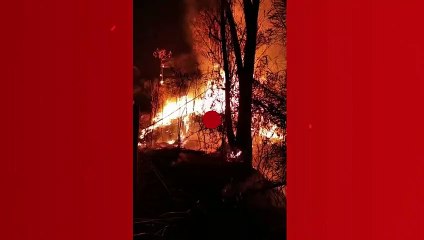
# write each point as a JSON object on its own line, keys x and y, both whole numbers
{"x": 158, "y": 24}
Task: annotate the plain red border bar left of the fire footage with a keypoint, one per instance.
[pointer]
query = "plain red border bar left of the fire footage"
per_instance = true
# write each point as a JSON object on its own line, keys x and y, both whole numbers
{"x": 66, "y": 97}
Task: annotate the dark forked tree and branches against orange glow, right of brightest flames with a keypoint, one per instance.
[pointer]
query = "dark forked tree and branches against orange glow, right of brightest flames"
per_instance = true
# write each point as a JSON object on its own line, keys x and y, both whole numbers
{"x": 242, "y": 37}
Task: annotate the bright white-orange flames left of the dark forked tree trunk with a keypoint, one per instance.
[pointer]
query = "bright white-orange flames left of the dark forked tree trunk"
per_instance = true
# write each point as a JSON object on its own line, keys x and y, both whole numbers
{"x": 179, "y": 99}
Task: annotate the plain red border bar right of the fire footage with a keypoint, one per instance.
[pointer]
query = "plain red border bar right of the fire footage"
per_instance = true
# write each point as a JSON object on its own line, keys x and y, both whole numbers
{"x": 355, "y": 120}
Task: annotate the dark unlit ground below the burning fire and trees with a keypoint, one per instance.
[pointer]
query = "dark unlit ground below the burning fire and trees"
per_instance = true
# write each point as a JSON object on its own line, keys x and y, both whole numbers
{"x": 183, "y": 199}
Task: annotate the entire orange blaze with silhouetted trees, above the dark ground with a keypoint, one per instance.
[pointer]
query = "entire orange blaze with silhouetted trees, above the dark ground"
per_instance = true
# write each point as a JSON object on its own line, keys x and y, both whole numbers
{"x": 240, "y": 54}
